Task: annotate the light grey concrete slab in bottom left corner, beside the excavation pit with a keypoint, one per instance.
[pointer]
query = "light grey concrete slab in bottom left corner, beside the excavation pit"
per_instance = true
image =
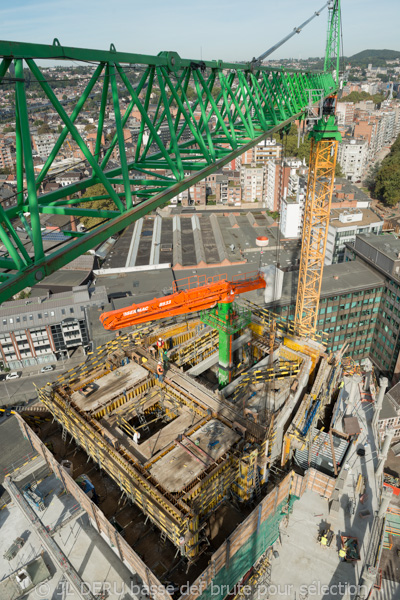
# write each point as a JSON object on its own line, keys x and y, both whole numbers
{"x": 91, "y": 556}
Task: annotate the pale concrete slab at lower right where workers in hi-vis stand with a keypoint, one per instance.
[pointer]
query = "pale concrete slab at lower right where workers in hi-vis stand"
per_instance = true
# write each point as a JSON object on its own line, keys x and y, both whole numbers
{"x": 299, "y": 549}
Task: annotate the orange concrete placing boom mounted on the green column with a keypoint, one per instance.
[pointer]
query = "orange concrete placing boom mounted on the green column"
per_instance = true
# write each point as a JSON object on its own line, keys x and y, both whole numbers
{"x": 200, "y": 293}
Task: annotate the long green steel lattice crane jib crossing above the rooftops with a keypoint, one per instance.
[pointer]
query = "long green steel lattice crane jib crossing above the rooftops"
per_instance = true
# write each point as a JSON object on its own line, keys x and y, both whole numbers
{"x": 236, "y": 106}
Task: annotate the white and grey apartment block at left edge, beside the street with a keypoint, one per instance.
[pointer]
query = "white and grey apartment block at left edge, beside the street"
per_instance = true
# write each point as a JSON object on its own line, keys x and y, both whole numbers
{"x": 42, "y": 330}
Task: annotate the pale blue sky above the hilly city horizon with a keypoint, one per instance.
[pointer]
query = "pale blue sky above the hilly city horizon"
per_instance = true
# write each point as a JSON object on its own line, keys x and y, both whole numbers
{"x": 215, "y": 29}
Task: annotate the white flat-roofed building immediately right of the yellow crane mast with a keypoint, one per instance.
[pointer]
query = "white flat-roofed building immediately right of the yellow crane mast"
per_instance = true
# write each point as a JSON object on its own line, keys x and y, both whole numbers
{"x": 344, "y": 225}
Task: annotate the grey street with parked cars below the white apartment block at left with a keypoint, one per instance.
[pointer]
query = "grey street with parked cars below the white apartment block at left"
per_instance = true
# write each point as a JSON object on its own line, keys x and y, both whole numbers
{"x": 22, "y": 390}
